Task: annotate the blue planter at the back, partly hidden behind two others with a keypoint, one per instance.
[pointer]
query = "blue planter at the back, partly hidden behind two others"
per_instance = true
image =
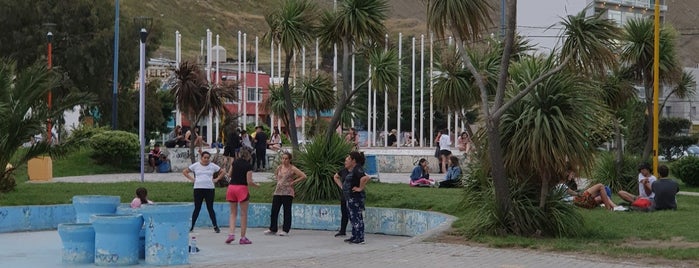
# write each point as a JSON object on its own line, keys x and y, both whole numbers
{"x": 86, "y": 205}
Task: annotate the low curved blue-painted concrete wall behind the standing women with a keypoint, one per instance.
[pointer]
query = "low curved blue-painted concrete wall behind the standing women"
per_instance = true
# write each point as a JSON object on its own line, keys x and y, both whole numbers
{"x": 389, "y": 221}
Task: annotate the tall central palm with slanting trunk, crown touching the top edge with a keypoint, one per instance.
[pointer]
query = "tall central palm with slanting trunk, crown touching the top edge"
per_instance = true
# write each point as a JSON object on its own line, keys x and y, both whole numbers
{"x": 354, "y": 22}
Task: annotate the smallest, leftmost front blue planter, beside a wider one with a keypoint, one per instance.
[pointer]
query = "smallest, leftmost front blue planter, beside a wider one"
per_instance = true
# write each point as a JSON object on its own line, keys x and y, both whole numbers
{"x": 78, "y": 242}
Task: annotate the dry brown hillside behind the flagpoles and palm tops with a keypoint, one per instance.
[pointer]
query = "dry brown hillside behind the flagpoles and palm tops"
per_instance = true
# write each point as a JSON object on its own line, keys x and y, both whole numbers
{"x": 226, "y": 17}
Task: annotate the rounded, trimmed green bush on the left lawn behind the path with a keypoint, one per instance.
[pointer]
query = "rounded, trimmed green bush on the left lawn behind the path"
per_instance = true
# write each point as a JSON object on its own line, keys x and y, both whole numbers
{"x": 116, "y": 148}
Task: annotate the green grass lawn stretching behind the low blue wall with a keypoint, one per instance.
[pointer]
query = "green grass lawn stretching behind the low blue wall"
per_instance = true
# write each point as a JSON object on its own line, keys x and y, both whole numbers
{"x": 667, "y": 235}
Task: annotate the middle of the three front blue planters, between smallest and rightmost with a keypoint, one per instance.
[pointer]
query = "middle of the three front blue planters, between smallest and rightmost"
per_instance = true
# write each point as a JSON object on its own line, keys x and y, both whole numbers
{"x": 116, "y": 239}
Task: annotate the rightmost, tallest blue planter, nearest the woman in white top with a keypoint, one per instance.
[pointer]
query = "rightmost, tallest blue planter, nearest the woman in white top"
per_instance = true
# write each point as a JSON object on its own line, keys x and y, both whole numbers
{"x": 167, "y": 233}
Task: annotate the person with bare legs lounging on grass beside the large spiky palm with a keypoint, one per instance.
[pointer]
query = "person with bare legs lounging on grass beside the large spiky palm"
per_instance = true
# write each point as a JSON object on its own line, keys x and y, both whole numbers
{"x": 590, "y": 198}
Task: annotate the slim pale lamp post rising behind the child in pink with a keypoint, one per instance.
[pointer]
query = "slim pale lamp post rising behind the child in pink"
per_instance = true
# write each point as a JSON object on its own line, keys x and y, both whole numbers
{"x": 142, "y": 99}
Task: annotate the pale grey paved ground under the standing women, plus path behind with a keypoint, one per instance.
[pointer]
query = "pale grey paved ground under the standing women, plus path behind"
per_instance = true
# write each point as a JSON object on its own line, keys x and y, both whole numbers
{"x": 305, "y": 248}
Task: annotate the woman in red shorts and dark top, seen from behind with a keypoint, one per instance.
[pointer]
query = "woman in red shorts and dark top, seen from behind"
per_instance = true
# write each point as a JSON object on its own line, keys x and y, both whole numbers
{"x": 237, "y": 194}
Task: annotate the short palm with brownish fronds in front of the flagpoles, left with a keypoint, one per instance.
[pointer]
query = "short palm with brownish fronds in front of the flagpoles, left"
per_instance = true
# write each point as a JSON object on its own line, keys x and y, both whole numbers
{"x": 197, "y": 98}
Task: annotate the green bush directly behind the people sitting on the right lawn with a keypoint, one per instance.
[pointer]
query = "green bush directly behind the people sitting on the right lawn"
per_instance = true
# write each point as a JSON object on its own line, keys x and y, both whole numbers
{"x": 604, "y": 172}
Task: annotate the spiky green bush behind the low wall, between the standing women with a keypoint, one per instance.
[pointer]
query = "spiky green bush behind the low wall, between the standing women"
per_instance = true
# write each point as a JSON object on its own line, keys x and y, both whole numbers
{"x": 320, "y": 161}
